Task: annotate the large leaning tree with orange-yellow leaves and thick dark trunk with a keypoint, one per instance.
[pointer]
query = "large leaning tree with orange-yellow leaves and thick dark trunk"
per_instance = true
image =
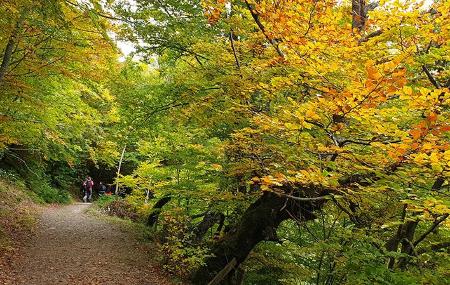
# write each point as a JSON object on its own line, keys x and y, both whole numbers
{"x": 316, "y": 103}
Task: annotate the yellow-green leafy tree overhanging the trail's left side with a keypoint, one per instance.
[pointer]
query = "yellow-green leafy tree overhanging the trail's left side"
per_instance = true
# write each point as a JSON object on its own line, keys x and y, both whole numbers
{"x": 55, "y": 63}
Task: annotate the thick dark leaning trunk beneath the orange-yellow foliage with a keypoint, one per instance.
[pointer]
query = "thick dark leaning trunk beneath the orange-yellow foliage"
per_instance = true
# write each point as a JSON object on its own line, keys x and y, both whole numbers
{"x": 259, "y": 222}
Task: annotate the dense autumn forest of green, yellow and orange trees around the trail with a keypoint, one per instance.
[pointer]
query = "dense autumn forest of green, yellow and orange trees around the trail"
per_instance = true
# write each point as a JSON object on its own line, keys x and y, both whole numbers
{"x": 259, "y": 141}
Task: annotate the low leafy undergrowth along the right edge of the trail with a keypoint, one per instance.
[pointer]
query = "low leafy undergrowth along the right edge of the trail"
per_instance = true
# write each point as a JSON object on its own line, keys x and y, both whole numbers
{"x": 178, "y": 254}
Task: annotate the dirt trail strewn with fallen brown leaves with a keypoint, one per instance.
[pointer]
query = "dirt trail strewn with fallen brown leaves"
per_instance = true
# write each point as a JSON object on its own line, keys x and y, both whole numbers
{"x": 72, "y": 247}
